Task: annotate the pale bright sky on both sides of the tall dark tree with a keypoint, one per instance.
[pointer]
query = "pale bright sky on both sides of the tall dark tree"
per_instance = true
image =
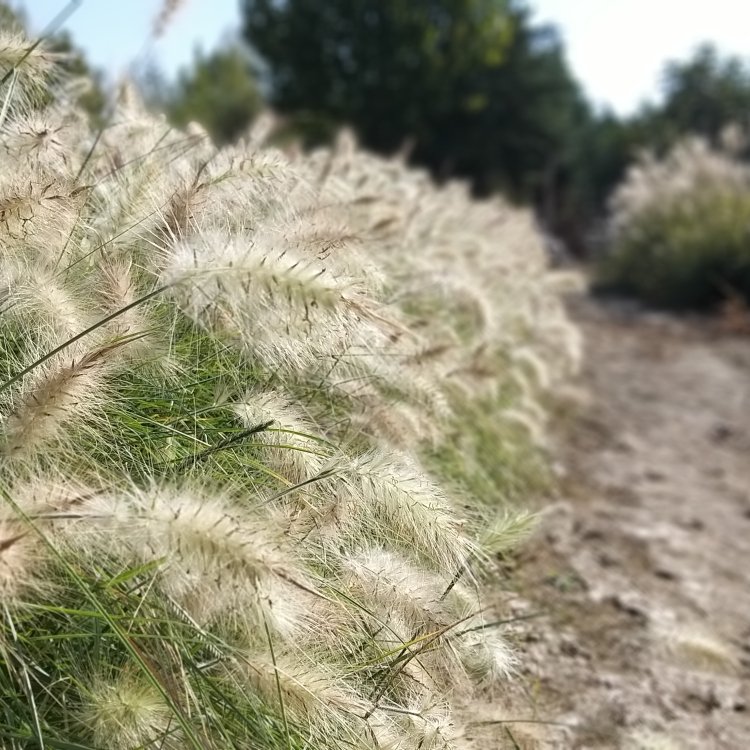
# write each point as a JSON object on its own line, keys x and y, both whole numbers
{"x": 616, "y": 48}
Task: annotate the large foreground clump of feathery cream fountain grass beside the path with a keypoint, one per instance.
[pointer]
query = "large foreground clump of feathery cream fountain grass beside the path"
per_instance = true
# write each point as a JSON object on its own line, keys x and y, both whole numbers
{"x": 229, "y": 384}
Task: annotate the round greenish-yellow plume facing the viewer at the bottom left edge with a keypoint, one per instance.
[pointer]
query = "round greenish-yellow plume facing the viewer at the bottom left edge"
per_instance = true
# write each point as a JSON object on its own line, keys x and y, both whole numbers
{"x": 124, "y": 712}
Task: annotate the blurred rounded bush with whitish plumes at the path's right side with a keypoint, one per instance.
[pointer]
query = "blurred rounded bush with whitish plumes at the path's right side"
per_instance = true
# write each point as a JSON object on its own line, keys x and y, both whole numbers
{"x": 681, "y": 229}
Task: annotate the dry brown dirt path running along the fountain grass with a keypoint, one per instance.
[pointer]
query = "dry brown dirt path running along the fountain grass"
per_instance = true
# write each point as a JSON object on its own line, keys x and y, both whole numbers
{"x": 642, "y": 570}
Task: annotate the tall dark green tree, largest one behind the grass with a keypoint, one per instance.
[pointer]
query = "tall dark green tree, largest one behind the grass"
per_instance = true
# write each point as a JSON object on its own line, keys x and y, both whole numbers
{"x": 474, "y": 87}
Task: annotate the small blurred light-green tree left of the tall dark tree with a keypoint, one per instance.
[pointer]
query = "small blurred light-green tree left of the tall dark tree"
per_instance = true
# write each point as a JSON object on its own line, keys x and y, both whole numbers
{"x": 219, "y": 91}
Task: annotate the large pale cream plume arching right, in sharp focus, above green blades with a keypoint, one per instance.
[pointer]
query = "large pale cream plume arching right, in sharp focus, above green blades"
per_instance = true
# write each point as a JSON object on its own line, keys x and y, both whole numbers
{"x": 287, "y": 310}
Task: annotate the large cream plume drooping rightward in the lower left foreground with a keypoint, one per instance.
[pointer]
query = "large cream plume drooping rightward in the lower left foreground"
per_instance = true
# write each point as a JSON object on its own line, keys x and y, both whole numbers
{"x": 216, "y": 556}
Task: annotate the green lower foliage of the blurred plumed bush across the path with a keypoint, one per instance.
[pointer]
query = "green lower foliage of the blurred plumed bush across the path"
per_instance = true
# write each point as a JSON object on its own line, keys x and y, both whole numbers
{"x": 689, "y": 255}
